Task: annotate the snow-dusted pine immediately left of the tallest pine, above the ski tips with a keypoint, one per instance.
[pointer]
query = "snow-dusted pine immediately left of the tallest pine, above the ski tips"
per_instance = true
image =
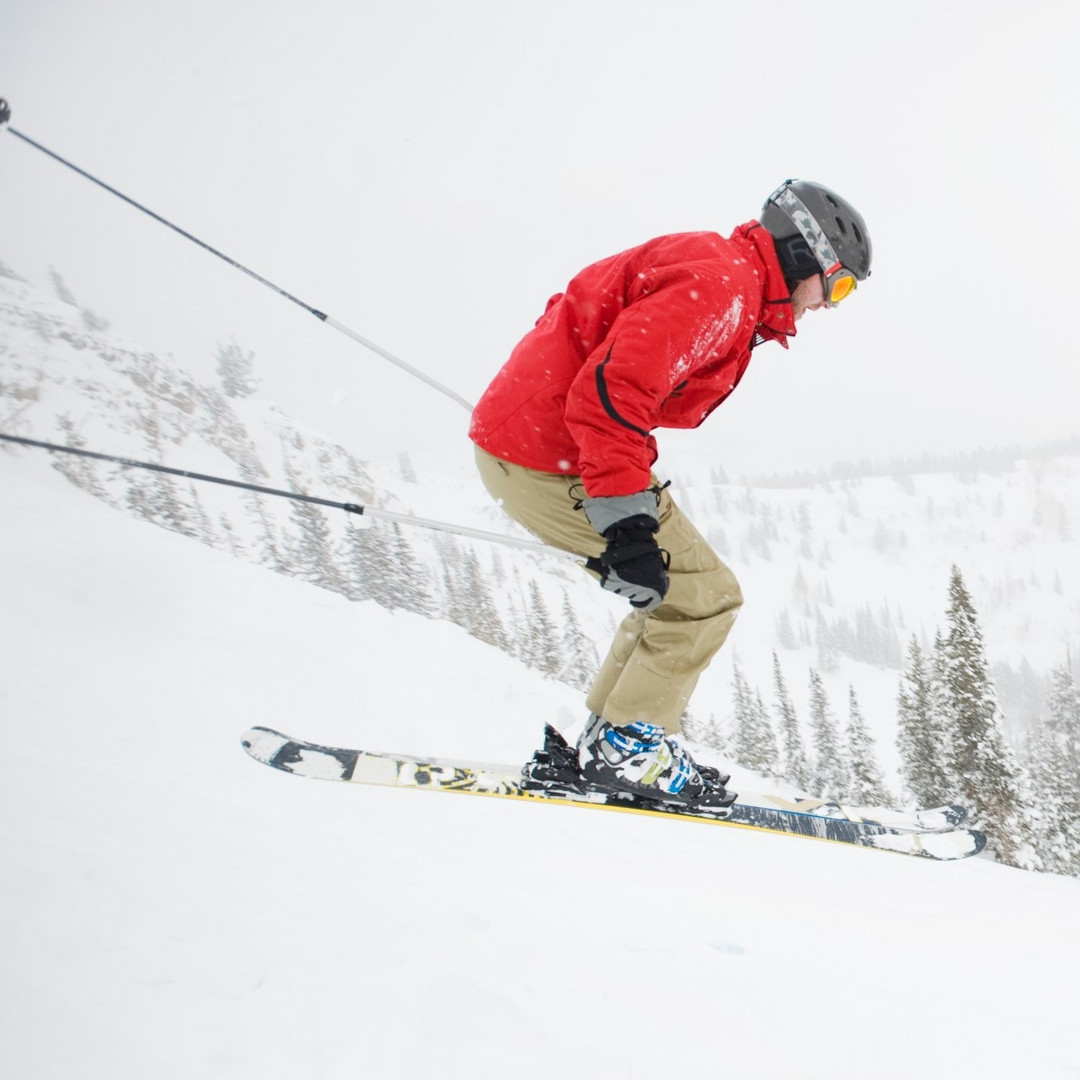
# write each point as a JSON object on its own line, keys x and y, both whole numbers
{"x": 923, "y": 753}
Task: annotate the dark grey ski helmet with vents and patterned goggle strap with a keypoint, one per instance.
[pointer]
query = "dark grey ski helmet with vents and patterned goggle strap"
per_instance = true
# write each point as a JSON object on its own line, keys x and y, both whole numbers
{"x": 815, "y": 229}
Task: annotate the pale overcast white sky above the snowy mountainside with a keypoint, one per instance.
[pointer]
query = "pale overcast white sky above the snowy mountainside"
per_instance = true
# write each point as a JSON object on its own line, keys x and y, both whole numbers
{"x": 429, "y": 174}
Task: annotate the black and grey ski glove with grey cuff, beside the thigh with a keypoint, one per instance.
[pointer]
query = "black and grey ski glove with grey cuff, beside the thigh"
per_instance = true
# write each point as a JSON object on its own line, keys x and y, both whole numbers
{"x": 634, "y": 565}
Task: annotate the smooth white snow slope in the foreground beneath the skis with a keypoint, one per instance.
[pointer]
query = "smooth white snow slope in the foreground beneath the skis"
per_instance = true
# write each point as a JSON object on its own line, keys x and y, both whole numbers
{"x": 174, "y": 910}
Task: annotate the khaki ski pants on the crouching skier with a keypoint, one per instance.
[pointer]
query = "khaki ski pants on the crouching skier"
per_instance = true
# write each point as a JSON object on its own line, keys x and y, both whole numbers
{"x": 657, "y": 657}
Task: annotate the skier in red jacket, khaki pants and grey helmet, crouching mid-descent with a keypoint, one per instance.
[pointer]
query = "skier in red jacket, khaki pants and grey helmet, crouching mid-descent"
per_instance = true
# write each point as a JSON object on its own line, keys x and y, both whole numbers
{"x": 654, "y": 337}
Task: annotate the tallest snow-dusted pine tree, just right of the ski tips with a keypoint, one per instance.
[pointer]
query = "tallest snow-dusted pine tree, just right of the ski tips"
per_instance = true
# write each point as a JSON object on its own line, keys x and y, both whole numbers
{"x": 982, "y": 758}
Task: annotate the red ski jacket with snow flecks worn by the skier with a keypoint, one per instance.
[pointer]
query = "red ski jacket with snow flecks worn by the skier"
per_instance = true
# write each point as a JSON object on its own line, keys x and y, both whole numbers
{"x": 656, "y": 337}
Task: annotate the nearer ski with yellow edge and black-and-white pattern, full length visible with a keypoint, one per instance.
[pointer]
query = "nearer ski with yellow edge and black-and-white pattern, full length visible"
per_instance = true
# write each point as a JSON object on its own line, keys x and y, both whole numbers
{"x": 935, "y": 834}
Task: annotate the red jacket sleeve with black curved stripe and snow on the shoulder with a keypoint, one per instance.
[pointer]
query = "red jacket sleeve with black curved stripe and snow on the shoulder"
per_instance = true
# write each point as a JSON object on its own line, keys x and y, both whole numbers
{"x": 655, "y": 345}
